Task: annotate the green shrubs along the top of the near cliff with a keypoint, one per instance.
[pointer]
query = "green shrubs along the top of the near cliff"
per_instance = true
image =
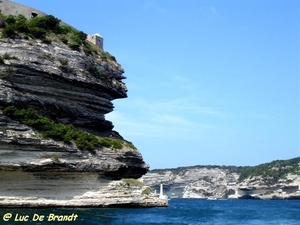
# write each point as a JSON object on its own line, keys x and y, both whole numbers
{"x": 48, "y": 28}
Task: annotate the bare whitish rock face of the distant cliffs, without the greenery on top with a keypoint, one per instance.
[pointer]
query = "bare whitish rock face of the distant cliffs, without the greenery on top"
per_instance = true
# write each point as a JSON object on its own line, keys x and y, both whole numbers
{"x": 221, "y": 183}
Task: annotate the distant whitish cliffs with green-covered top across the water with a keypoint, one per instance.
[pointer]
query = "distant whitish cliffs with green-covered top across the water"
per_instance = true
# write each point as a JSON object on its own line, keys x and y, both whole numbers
{"x": 276, "y": 180}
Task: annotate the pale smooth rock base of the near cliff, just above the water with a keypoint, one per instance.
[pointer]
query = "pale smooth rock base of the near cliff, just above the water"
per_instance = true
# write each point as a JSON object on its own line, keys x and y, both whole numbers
{"x": 57, "y": 189}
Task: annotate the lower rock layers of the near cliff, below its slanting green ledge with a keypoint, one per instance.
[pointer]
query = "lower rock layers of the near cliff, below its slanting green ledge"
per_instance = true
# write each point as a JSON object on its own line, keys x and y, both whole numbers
{"x": 38, "y": 172}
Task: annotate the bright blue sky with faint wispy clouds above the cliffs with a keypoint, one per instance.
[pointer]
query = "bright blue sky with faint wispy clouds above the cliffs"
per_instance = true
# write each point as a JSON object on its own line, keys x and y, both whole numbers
{"x": 210, "y": 81}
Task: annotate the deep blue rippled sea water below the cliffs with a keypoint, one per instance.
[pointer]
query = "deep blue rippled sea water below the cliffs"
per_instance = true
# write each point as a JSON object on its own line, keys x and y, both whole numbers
{"x": 179, "y": 212}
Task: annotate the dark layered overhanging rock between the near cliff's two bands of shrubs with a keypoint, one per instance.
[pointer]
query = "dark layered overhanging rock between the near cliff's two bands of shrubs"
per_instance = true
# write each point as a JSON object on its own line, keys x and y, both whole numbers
{"x": 36, "y": 77}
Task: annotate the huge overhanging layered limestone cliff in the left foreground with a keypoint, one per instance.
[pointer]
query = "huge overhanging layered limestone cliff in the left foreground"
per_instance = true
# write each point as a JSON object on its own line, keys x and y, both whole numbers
{"x": 73, "y": 88}
